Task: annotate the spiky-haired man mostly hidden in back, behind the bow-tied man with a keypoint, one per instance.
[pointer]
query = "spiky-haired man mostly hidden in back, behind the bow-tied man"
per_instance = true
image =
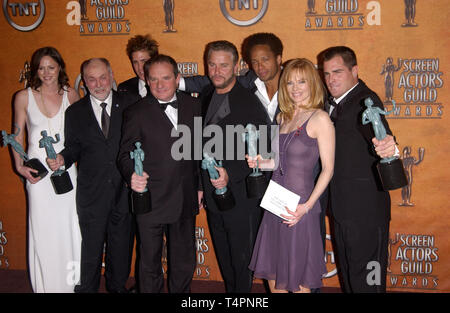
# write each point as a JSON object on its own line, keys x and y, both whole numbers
{"x": 140, "y": 49}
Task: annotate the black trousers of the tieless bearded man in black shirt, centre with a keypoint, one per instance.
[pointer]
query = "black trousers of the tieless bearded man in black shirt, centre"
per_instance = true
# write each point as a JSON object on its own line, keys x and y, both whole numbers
{"x": 233, "y": 233}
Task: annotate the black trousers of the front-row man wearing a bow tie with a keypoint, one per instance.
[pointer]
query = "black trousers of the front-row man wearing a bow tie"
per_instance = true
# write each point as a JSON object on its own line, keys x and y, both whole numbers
{"x": 180, "y": 239}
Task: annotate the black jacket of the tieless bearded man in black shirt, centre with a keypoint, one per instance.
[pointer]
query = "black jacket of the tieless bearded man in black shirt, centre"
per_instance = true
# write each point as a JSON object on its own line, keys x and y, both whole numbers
{"x": 244, "y": 108}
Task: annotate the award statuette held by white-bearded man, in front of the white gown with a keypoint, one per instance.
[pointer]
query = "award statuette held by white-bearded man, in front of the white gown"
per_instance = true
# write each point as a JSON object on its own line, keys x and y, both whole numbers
{"x": 60, "y": 178}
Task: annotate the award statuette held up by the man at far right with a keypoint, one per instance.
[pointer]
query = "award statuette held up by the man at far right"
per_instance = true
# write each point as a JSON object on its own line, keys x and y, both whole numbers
{"x": 390, "y": 169}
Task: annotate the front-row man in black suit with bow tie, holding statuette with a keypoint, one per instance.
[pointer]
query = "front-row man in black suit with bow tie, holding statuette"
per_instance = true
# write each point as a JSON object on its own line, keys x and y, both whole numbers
{"x": 172, "y": 181}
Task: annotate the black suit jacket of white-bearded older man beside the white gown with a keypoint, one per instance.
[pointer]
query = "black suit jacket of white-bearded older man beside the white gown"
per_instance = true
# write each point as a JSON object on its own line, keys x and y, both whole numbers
{"x": 99, "y": 184}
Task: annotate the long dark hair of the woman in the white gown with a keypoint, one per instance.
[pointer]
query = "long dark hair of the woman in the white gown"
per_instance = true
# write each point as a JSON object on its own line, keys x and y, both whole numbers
{"x": 35, "y": 82}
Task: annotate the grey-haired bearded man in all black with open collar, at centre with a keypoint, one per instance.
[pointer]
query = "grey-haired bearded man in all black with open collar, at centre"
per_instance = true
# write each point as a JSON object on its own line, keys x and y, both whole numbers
{"x": 227, "y": 103}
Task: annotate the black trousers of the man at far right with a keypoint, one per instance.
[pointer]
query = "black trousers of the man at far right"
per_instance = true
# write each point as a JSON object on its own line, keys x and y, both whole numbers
{"x": 357, "y": 246}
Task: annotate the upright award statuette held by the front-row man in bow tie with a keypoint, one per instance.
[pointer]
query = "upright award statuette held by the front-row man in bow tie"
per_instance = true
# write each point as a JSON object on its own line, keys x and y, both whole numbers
{"x": 141, "y": 201}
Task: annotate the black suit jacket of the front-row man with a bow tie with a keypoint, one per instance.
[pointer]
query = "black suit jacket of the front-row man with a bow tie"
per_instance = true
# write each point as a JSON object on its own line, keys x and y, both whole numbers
{"x": 173, "y": 184}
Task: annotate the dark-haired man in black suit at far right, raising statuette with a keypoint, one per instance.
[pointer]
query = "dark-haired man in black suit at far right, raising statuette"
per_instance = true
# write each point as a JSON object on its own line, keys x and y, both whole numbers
{"x": 359, "y": 205}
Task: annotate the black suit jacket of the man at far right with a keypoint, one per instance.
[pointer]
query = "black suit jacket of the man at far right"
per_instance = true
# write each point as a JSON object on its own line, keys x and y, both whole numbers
{"x": 357, "y": 196}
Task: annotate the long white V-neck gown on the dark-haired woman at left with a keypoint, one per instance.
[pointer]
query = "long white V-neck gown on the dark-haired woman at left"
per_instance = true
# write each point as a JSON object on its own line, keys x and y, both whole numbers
{"x": 54, "y": 238}
